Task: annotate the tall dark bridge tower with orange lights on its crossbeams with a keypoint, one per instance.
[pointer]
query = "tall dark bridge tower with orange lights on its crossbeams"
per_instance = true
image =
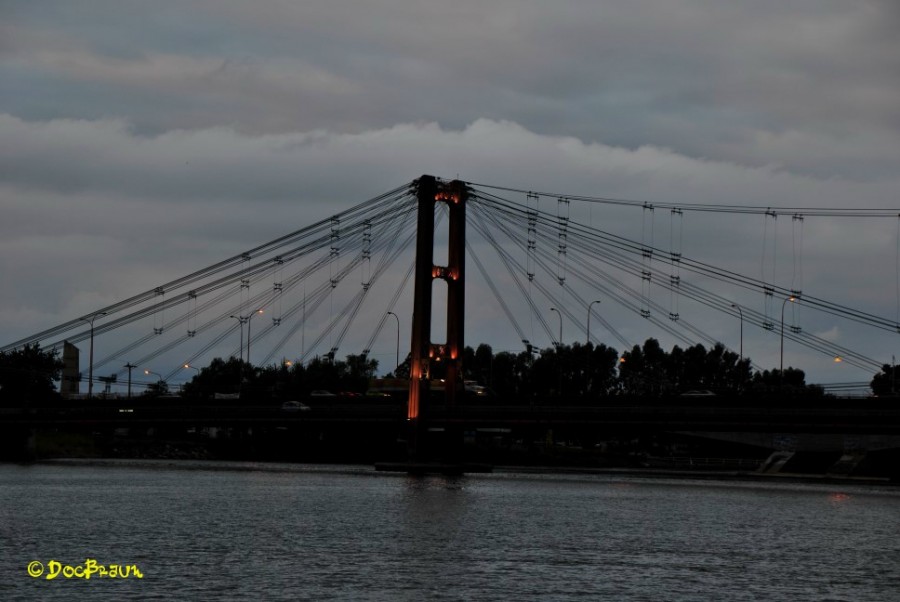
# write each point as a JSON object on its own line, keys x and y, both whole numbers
{"x": 424, "y": 354}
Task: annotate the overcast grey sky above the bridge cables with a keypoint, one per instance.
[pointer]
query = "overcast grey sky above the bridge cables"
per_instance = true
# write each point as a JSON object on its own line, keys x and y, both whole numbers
{"x": 142, "y": 140}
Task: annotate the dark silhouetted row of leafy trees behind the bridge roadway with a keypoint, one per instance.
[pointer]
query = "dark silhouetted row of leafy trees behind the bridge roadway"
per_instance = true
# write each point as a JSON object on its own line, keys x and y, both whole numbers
{"x": 571, "y": 373}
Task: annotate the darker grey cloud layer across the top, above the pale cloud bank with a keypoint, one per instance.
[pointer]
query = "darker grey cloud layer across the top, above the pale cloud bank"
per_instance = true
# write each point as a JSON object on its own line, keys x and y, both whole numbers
{"x": 809, "y": 85}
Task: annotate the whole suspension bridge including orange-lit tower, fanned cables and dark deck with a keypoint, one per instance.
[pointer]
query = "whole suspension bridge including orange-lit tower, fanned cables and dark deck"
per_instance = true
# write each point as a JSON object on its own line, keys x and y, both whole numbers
{"x": 337, "y": 284}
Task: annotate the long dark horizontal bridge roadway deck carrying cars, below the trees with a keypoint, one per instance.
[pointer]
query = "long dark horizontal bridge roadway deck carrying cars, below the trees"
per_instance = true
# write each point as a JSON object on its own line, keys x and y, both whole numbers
{"x": 709, "y": 417}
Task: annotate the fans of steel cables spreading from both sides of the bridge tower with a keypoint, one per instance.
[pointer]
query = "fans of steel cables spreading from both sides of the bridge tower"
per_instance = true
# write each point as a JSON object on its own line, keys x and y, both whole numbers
{"x": 328, "y": 289}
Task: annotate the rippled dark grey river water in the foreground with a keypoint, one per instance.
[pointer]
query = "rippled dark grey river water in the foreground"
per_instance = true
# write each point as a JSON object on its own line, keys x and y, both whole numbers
{"x": 237, "y": 531}
